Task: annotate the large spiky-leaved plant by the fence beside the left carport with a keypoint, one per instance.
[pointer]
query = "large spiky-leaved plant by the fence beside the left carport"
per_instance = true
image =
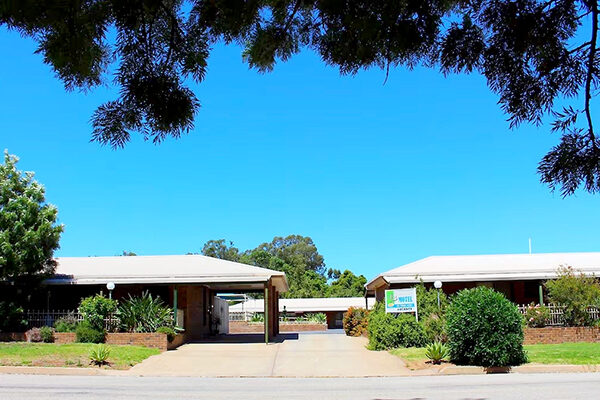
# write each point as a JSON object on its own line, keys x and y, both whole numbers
{"x": 144, "y": 314}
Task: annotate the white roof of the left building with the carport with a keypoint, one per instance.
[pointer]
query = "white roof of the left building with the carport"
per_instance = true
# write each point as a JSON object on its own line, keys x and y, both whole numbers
{"x": 160, "y": 269}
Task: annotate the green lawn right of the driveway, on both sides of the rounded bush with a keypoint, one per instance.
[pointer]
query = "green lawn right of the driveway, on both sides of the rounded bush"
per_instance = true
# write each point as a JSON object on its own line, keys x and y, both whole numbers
{"x": 565, "y": 353}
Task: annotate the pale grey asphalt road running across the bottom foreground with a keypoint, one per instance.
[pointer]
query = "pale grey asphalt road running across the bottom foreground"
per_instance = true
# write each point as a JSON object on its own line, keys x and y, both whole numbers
{"x": 505, "y": 387}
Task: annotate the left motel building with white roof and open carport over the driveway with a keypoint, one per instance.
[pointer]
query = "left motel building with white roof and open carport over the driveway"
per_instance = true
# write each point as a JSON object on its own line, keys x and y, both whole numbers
{"x": 188, "y": 282}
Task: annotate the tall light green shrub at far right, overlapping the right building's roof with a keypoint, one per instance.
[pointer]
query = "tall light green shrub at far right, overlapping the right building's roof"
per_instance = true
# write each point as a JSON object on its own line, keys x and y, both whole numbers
{"x": 575, "y": 292}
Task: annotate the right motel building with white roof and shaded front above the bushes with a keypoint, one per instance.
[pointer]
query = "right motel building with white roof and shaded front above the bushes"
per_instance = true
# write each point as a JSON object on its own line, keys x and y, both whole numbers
{"x": 520, "y": 277}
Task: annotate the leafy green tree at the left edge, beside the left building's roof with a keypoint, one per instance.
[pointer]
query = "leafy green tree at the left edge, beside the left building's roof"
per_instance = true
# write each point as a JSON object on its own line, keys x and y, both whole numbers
{"x": 28, "y": 231}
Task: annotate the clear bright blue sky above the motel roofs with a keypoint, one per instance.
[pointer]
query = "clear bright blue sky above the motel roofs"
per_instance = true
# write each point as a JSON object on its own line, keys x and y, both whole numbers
{"x": 378, "y": 175}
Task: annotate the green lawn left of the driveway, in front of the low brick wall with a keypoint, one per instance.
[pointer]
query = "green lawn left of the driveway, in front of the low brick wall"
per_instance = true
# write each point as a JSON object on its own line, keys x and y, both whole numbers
{"x": 69, "y": 355}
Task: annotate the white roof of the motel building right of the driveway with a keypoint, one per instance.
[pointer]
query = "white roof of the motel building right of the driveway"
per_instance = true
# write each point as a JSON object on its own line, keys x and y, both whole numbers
{"x": 483, "y": 268}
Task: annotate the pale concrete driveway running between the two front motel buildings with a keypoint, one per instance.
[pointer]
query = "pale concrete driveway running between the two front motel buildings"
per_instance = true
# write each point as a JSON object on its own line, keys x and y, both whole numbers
{"x": 295, "y": 355}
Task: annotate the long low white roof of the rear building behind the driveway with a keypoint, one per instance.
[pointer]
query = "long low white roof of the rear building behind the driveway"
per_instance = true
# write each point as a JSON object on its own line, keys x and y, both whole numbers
{"x": 306, "y": 304}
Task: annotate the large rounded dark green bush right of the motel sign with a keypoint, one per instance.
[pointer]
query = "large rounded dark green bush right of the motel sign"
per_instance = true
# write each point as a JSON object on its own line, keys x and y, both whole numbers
{"x": 485, "y": 329}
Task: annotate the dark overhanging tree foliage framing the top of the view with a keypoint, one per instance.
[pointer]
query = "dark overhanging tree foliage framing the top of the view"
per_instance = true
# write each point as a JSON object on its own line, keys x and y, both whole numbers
{"x": 533, "y": 53}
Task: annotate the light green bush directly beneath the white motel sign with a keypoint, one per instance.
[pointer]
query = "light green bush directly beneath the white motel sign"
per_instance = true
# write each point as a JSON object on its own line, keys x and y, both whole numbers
{"x": 388, "y": 331}
